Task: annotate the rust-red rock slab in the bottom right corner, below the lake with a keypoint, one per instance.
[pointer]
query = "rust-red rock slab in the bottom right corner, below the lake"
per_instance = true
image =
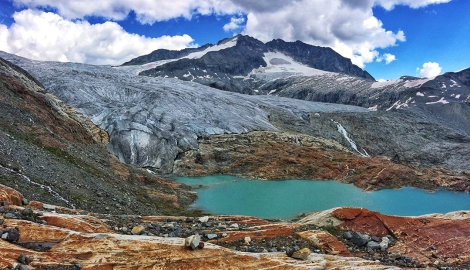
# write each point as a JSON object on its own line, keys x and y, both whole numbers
{"x": 431, "y": 239}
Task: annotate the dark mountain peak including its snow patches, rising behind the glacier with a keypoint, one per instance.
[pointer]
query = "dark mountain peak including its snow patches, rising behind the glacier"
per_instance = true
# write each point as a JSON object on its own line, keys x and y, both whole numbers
{"x": 229, "y": 64}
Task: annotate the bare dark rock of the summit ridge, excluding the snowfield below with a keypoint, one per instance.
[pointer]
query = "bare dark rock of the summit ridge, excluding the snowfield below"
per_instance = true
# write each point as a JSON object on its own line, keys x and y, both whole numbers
{"x": 247, "y": 54}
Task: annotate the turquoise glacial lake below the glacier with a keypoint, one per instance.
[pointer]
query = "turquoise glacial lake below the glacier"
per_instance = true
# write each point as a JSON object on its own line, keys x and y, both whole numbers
{"x": 230, "y": 195}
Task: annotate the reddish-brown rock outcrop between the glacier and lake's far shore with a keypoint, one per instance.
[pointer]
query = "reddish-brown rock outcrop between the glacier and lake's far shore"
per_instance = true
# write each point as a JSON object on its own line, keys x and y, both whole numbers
{"x": 276, "y": 155}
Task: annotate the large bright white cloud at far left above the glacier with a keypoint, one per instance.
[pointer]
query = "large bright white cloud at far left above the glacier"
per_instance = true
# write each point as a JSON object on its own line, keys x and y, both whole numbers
{"x": 47, "y": 36}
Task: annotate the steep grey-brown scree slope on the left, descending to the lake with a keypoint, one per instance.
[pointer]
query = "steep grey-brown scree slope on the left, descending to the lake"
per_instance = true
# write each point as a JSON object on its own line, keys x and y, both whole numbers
{"x": 51, "y": 152}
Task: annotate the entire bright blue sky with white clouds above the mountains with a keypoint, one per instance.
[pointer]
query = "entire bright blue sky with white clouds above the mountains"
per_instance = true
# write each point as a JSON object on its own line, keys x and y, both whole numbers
{"x": 387, "y": 38}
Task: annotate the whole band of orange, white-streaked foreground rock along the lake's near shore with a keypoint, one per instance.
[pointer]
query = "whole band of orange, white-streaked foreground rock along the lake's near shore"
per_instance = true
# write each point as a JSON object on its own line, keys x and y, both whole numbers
{"x": 67, "y": 238}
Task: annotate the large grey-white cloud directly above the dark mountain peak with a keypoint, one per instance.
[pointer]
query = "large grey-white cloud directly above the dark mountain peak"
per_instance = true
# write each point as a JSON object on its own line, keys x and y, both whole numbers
{"x": 352, "y": 31}
